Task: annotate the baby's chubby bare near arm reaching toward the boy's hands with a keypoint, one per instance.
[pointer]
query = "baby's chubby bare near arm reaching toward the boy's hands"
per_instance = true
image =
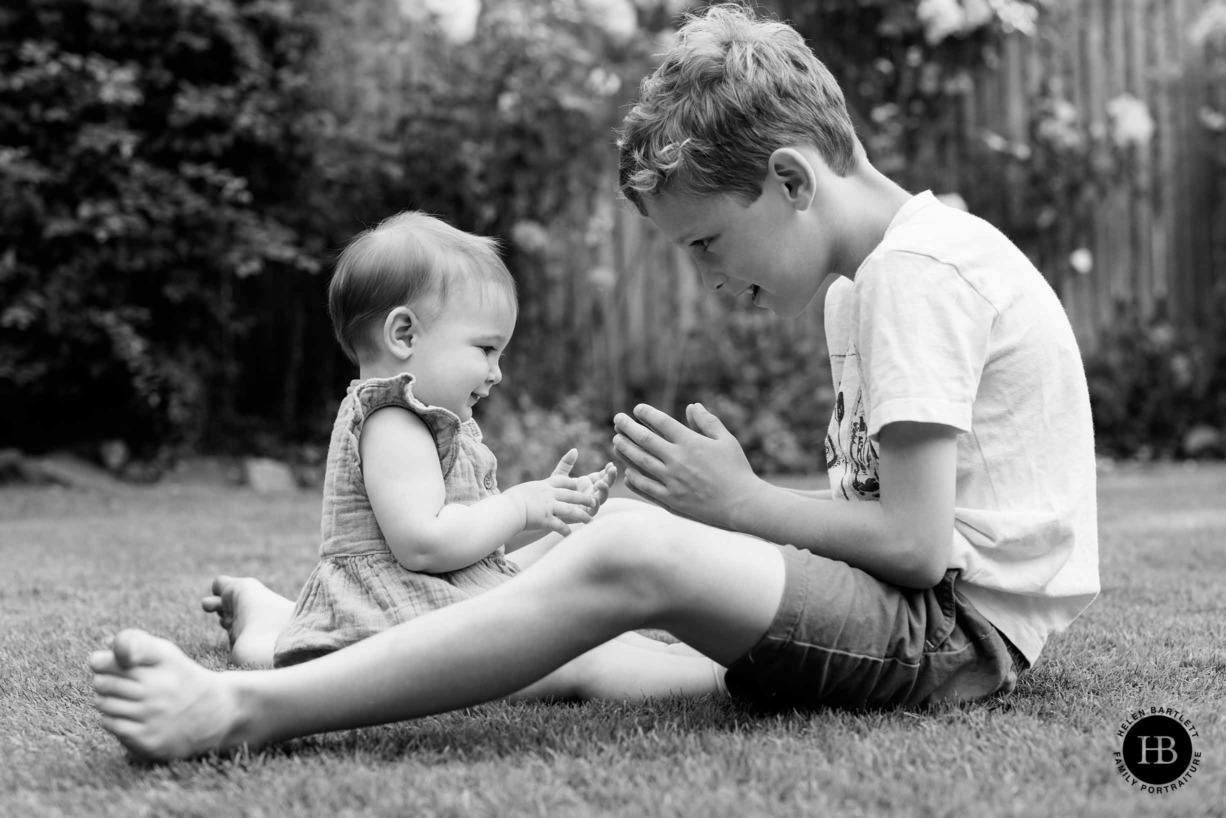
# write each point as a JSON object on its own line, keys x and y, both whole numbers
{"x": 404, "y": 480}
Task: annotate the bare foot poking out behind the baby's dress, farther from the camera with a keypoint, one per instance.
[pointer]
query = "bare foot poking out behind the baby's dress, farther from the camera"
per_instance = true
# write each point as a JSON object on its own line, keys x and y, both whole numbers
{"x": 253, "y": 617}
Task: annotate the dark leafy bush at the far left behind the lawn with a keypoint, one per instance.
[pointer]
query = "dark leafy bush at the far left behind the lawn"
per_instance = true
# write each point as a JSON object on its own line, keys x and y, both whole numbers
{"x": 149, "y": 153}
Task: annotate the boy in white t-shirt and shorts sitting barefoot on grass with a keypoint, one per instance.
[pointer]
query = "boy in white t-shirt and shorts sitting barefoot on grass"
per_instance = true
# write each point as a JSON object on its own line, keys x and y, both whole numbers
{"x": 961, "y": 529}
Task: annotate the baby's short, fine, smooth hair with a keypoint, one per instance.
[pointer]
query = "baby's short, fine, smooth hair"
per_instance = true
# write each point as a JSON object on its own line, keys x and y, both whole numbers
{"x": 409, "y": 259}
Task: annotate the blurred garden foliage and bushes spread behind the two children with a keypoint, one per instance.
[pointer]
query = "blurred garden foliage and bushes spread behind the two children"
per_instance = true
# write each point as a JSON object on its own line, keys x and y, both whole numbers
{"x": 176, "y": 176}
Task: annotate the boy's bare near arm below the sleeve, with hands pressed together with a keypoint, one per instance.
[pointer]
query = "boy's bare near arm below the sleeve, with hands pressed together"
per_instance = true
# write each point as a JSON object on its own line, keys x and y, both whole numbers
{"x": 703, "y": 474}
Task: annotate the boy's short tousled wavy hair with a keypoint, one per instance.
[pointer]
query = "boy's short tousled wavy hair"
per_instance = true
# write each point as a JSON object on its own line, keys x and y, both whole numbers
{"x": 729, "y": 94}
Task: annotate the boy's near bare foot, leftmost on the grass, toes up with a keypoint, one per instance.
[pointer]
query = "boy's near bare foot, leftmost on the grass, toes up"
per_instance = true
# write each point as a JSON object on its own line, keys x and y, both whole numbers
{"x": 159, "y": 703}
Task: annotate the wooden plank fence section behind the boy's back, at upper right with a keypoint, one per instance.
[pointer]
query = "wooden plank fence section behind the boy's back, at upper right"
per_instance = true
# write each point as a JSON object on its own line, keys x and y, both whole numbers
{"x": 1157, "y": 234}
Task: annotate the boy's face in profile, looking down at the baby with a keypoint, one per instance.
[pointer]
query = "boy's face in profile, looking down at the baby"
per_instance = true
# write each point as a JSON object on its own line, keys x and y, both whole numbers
{"x": 768, "y": 251}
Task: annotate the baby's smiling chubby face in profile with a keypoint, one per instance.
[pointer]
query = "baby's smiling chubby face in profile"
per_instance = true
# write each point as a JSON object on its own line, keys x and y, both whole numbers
{"x": 455, "y": 357}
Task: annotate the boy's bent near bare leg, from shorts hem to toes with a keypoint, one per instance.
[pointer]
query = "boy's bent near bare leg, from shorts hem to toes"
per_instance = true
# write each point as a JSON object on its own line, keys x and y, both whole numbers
{"x": 715, "y": 591}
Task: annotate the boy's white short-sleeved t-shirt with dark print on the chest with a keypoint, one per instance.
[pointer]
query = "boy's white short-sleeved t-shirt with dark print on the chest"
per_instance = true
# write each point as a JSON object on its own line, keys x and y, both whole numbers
{"x": 947, "y": 322}
